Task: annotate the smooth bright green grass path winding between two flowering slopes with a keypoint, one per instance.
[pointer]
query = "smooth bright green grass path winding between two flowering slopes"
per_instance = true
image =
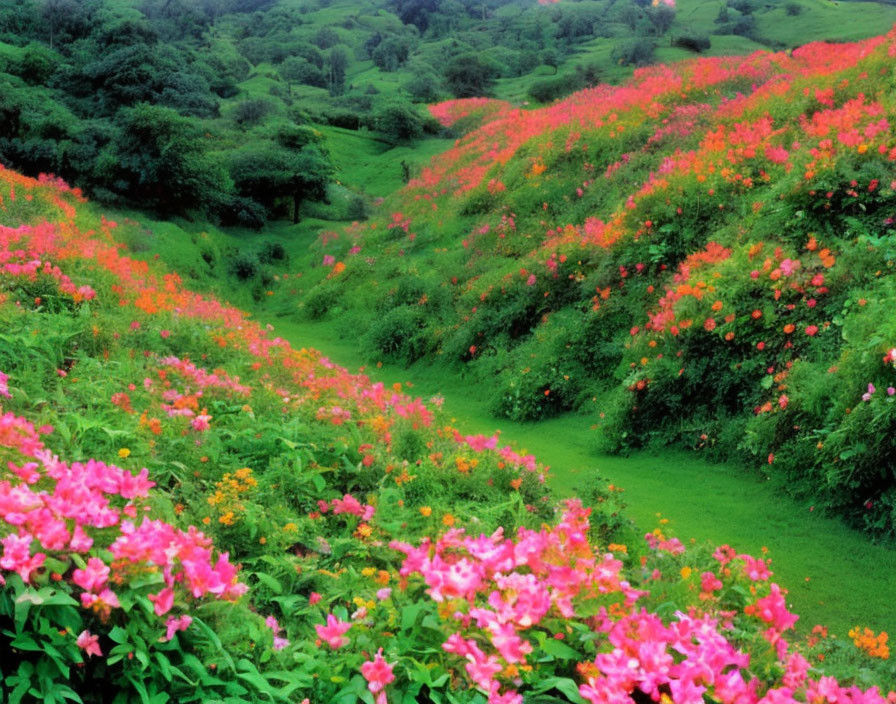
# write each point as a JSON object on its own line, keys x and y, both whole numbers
{"x": 834, "y": 574}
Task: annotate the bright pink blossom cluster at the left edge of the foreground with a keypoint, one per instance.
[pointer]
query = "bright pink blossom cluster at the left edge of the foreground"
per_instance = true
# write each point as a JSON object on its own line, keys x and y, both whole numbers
{"x": 49, "y": 506}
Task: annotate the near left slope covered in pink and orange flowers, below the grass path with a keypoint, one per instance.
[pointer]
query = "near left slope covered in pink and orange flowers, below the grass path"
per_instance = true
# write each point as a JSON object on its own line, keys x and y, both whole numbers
{"x": 193, "y": 510}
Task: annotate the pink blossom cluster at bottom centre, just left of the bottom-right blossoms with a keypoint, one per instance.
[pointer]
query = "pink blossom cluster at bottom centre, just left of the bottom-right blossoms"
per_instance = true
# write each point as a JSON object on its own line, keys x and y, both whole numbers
{"x": 508, "y": 587}
